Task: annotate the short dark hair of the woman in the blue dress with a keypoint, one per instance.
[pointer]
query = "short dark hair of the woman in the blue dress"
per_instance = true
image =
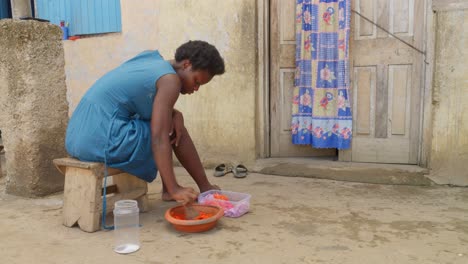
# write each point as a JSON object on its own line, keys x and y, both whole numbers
{"x": 202, "y": 55}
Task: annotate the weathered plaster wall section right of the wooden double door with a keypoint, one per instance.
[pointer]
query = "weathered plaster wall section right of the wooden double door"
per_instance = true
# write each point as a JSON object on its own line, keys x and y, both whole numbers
{"x": 449, "y": 156}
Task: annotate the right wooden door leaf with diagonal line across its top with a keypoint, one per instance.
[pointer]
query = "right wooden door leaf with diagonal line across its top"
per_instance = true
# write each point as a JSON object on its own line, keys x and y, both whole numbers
{"x": 387, "y": 79}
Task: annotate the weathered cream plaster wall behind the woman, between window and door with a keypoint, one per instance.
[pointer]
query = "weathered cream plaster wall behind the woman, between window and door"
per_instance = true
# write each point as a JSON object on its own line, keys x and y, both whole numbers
{"x": 220, "y": 117}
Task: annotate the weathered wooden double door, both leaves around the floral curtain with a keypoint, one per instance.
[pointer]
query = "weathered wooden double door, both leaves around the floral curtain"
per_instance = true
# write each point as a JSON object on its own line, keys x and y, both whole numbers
{"x": 387, "y": 77}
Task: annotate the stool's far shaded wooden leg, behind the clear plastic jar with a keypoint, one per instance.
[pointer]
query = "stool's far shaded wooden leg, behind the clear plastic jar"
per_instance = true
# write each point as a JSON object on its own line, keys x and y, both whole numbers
{"x": 126, "y": 182}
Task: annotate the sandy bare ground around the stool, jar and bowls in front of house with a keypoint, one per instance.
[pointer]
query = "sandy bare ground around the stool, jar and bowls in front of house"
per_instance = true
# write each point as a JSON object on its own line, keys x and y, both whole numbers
{"x": 292, "y": 220}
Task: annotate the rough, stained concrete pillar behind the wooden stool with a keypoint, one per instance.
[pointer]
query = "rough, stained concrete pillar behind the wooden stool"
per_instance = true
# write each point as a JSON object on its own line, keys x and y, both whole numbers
{"x": 33, "y": 114}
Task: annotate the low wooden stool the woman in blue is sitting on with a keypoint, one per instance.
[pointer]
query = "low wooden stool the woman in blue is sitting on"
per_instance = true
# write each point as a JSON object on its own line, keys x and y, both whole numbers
{"x": 82, "y": 196}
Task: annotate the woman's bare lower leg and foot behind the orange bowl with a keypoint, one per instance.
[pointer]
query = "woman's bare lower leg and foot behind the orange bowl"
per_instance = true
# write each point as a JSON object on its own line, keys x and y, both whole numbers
{"x": 187, "y": 154}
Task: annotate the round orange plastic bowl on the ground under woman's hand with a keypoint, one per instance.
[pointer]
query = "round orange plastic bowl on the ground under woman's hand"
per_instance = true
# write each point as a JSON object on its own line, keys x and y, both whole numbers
{"x": 194, "y": 226}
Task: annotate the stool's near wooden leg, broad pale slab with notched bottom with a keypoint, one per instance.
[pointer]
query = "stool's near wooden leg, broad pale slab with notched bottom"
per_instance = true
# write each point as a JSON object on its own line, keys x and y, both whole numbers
{"x": 82, "y": 199}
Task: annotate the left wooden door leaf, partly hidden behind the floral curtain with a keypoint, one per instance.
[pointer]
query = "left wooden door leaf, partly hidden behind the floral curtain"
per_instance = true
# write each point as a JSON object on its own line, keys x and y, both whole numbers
{"x": 282, "y": 67}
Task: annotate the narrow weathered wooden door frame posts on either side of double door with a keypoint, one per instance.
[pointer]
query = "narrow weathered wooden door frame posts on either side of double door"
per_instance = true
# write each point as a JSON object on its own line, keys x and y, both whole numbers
{"x": 262, "y": 122}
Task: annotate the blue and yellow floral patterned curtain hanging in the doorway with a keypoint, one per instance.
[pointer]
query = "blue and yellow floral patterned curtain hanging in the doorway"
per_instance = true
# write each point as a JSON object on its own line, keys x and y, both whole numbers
{"x": 321, "y": 109}
